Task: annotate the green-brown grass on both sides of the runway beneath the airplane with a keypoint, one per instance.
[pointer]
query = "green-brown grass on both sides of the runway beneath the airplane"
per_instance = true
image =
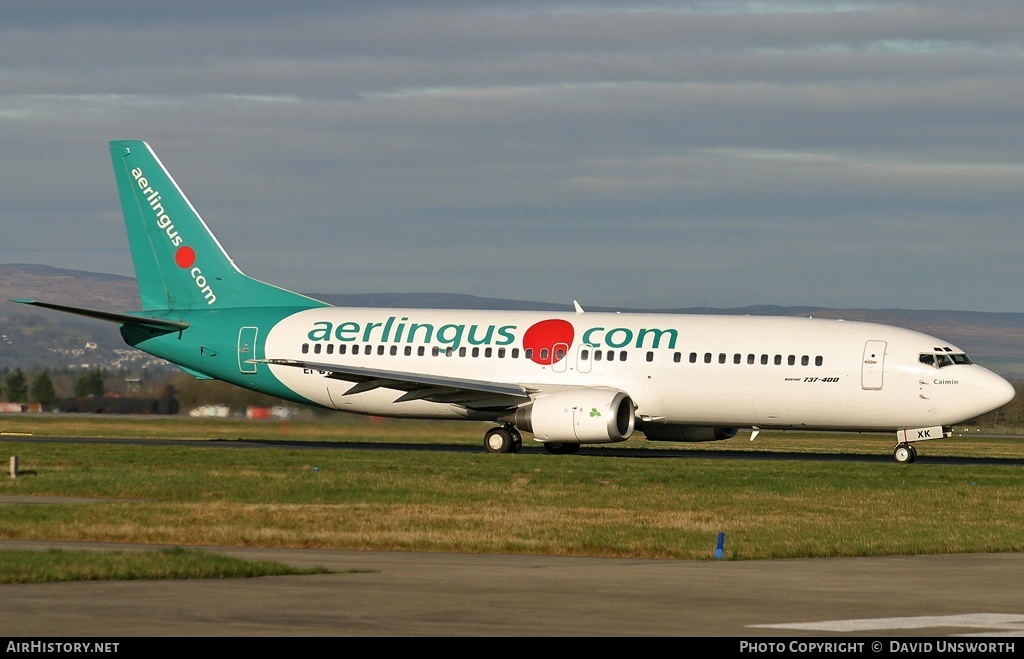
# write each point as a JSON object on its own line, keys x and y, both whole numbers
{"x": 530, "y": 503}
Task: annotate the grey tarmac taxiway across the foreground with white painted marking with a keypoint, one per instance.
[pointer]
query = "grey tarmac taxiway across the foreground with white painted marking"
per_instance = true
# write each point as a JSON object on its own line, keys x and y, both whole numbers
{"x": 415, "y": 594}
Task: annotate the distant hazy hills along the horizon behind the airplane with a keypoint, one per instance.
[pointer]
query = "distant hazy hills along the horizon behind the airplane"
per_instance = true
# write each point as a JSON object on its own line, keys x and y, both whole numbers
{"x": 32, "y": 337}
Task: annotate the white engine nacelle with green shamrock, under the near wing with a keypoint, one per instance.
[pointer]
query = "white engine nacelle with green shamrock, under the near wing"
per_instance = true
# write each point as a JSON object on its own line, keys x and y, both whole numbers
{"x": 580, "y": 416}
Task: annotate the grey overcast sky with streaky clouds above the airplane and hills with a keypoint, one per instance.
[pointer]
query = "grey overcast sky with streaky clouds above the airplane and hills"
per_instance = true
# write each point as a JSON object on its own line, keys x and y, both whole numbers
{"x": 630, "y": 155}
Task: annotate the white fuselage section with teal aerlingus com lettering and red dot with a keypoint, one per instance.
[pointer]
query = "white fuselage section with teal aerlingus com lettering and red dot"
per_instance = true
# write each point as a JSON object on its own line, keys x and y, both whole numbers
{"x": 679, "y": 370}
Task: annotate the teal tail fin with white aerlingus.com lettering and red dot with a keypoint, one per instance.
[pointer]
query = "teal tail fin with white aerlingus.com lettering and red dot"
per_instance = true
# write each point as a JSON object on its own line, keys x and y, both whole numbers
{"x": 180, "y": 265}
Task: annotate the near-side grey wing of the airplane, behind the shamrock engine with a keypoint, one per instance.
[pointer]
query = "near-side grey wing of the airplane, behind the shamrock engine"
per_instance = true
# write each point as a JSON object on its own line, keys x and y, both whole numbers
{"x": 470, "y": 393}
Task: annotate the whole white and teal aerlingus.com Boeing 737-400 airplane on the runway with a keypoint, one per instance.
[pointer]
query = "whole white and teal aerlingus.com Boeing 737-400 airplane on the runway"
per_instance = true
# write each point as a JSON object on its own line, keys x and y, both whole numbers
{"x": 570, "y": 379}
